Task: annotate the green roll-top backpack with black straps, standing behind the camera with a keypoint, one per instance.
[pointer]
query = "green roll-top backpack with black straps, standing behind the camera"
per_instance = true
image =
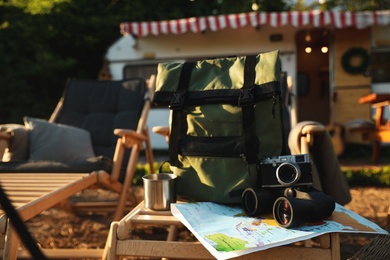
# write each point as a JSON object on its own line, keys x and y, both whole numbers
{"x": 226, "y": 115}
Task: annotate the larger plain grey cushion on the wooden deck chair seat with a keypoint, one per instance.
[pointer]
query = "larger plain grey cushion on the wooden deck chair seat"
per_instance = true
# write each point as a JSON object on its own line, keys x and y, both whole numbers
{"x": 57, "y": 142}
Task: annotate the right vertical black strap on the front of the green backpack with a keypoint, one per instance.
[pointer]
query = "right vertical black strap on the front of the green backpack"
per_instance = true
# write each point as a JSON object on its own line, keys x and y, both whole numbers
{"x": 246, "y": 101}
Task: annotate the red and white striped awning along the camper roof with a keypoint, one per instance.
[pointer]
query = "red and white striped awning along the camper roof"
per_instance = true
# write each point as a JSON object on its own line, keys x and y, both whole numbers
{"x": 336, "y": 19}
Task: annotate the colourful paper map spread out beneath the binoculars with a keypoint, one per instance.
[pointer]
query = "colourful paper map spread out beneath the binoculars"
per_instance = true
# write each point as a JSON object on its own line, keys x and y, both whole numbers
{"x": 227, "y": 232}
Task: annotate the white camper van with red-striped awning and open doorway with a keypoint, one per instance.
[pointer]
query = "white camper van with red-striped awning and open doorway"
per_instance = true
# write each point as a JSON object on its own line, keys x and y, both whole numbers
{"x": 312, "y": 47}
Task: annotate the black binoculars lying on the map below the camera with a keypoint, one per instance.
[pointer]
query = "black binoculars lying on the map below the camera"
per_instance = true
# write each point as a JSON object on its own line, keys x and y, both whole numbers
{"x": 291, "y": 206}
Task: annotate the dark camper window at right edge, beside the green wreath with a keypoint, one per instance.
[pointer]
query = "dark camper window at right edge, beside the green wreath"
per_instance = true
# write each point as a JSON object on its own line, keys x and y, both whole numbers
{"x": 380, "y": 67}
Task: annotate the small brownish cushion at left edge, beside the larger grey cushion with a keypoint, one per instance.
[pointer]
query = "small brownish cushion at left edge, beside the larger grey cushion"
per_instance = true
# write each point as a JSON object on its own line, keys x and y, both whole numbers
{"x": 18, "y": 144}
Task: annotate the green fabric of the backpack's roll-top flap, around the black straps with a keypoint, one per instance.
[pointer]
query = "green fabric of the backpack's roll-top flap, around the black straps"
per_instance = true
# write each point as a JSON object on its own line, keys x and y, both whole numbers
{"x": 218, "y": 80}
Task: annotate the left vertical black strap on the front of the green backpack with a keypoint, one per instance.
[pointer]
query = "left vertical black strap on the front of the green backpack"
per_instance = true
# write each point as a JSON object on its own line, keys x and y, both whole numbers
{"x": 179, "y": 122}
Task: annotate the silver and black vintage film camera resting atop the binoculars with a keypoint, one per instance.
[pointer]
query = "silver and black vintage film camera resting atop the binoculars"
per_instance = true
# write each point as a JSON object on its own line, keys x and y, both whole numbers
{"x": 285, "y": 171}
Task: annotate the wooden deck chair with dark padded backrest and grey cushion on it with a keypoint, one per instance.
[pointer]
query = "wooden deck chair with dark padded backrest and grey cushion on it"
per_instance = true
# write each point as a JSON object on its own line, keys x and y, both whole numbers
{"x": 114, "y": 115}
